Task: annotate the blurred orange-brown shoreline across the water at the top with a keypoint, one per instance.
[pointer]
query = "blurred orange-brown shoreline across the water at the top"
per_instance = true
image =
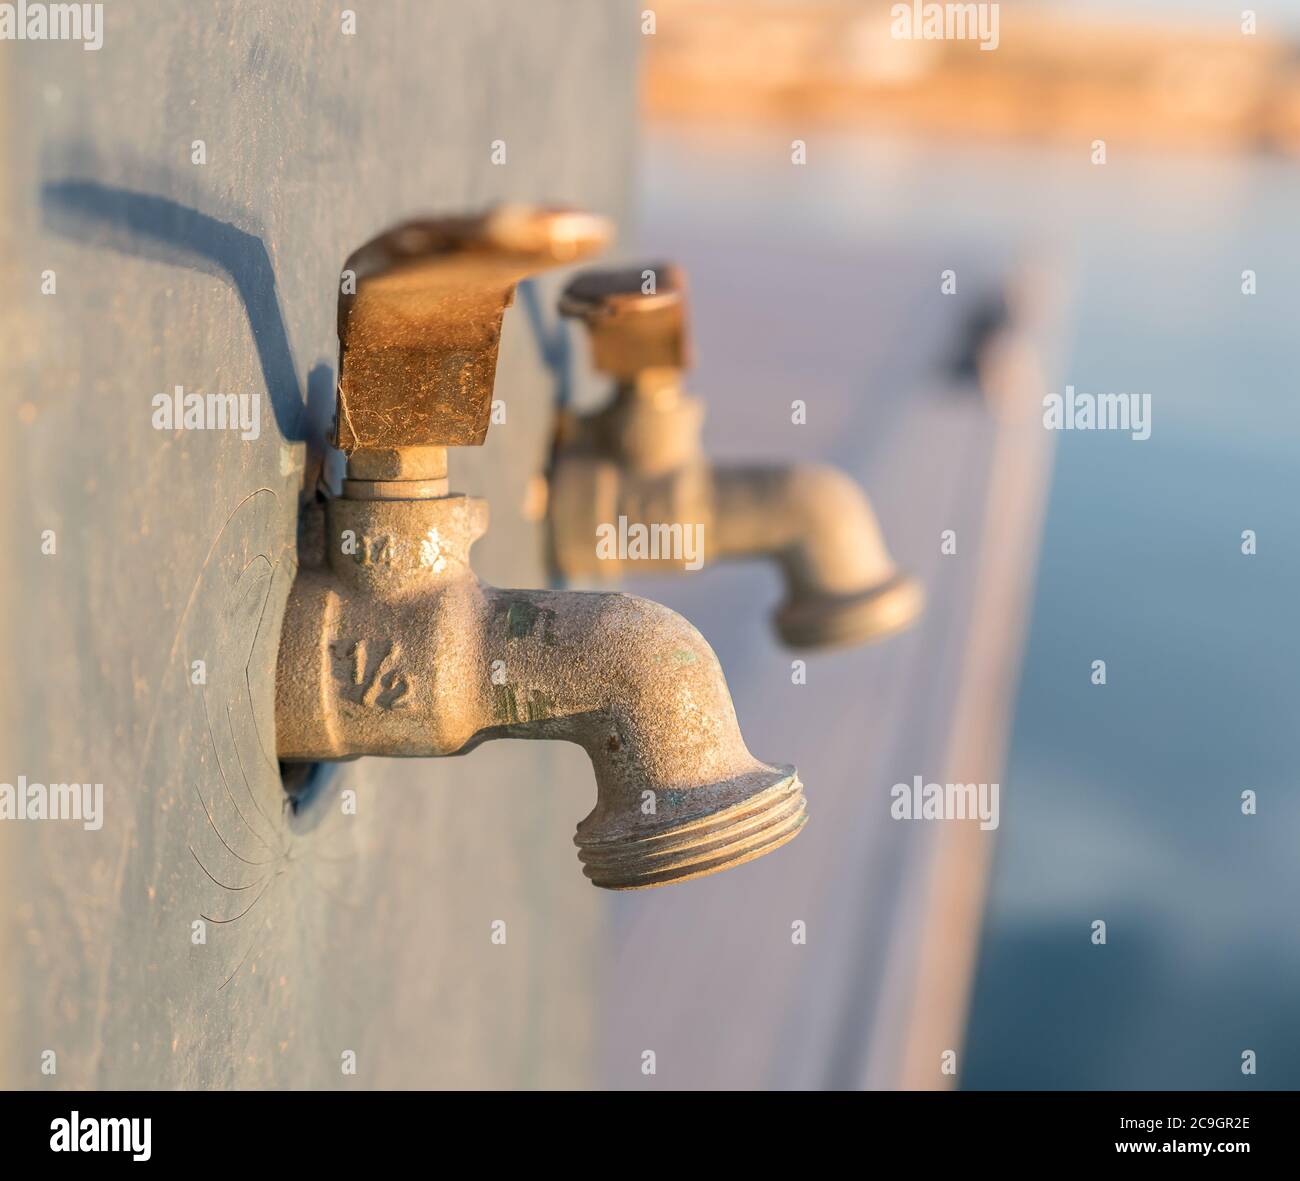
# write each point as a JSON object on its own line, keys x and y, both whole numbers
{"x": 1058, "y": 73}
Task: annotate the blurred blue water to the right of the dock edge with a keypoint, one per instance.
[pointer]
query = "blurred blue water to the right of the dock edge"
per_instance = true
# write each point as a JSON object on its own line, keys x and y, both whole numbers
{"x": 1123, "y": 803}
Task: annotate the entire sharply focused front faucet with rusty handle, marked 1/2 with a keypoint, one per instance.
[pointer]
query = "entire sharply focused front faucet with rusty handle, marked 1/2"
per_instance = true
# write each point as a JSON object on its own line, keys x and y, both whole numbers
{"x": 391, "y": 643}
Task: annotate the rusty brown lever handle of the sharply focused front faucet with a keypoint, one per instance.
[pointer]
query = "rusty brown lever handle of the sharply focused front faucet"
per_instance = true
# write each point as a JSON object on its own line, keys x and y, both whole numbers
{"x": 419, "y": 322}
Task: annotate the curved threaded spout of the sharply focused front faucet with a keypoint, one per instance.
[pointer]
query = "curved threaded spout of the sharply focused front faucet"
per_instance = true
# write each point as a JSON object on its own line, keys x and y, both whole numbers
{"x": 640, "y": 690}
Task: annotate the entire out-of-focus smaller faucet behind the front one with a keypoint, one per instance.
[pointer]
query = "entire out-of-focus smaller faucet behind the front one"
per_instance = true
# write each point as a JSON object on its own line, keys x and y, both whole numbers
{"x": 639, "y": 465}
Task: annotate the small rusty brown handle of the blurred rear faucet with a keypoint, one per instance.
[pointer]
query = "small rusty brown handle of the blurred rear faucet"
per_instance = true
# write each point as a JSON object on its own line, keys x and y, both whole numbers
{"x": 636, "y": 317}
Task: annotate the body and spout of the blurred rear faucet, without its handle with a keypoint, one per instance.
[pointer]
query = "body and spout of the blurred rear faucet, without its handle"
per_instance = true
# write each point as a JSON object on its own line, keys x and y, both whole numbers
{"x": 842, "y": 585}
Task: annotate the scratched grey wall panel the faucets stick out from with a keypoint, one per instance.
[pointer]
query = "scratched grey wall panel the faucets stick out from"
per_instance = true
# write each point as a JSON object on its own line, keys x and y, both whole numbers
{"x": 326, "y": 933}
